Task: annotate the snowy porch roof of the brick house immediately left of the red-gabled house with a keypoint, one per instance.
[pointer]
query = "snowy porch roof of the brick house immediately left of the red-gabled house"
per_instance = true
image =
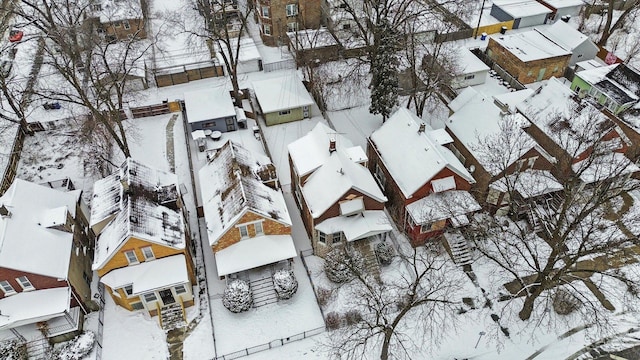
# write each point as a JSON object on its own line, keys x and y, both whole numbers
{"x": 356, "y": 227}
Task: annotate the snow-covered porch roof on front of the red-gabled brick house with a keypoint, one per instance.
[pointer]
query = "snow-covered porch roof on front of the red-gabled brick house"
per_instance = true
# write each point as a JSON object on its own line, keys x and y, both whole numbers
{"x": 442, "y": 205}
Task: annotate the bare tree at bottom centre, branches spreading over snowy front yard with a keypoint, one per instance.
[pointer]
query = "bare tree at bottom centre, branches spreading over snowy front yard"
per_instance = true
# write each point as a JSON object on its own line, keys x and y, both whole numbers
{"x": 394, "y": 317}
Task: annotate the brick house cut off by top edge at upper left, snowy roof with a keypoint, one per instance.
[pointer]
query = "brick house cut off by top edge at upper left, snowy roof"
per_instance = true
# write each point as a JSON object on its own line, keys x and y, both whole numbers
{"x": 119, "y": 19}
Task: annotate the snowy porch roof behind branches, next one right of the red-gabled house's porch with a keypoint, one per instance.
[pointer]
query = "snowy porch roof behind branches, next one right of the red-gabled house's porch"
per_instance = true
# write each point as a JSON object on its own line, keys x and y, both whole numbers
{"x": 529, "y": 184}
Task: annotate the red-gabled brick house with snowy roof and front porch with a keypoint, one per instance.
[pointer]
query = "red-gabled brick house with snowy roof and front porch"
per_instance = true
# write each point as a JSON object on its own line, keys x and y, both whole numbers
{"x": 427, "y": 185}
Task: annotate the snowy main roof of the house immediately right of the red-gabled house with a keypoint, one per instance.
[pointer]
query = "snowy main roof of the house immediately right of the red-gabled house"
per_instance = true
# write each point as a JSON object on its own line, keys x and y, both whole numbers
{"x": 480, "y": 119}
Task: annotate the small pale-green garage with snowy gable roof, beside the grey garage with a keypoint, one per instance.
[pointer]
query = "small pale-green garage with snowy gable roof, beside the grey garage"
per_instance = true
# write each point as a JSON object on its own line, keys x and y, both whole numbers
{"x": 283, "y": 99}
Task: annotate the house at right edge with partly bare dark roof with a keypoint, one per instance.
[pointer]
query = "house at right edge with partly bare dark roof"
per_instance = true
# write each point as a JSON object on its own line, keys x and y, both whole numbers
{"x": 616, "y": 87}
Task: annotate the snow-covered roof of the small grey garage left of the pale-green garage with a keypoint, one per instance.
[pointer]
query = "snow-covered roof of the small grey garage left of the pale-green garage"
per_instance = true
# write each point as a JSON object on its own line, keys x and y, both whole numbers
{"x": 207, "y": 104}
